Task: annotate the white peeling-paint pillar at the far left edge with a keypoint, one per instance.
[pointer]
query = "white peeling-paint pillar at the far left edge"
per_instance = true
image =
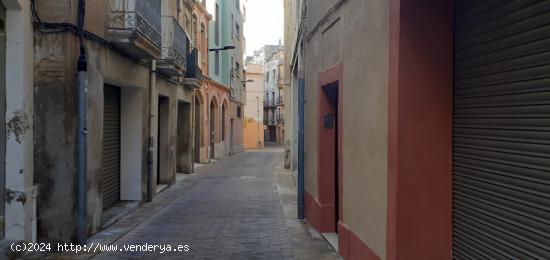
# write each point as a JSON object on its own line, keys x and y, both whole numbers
{"x": 19, "y": 192}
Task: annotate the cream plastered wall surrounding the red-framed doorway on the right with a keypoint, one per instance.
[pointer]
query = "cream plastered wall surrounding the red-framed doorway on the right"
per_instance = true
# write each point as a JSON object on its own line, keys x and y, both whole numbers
{"x": 357, "y": 36}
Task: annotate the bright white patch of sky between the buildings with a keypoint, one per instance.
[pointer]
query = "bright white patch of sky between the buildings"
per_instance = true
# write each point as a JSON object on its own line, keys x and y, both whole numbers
{"x": 264, "y": 24}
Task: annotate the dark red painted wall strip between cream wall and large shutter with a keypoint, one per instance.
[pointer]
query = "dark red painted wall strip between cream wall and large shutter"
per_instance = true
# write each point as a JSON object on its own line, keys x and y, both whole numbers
{"x": 420, "y": 130}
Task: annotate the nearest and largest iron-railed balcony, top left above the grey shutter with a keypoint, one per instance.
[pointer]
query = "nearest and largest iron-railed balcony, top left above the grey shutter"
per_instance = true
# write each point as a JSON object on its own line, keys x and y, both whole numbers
{"x": 135, "y": 26}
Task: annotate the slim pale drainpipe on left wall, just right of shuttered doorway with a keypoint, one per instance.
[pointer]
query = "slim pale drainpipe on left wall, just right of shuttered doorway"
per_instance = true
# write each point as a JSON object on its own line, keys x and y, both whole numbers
{"x": 151, "y": 150}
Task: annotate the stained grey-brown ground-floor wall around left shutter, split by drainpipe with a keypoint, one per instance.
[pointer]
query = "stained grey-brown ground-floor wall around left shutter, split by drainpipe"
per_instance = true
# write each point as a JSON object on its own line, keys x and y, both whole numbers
{"x": 55, "y": 128}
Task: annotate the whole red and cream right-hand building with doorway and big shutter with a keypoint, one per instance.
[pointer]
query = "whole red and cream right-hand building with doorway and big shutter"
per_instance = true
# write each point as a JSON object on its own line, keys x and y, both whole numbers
{"x": 424, "y": 143}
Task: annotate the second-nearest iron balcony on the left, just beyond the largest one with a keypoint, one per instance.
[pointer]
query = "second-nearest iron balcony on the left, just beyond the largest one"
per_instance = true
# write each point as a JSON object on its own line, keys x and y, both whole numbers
{"x": 175, "y": 44}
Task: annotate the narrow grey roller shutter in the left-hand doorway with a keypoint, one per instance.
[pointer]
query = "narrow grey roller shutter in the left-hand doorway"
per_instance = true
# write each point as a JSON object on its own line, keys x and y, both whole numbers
{"x": 110, "y": 182}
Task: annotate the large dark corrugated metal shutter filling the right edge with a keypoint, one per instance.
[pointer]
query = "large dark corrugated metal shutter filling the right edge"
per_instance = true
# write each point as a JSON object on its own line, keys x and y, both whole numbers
{"x": 501, "y": 150}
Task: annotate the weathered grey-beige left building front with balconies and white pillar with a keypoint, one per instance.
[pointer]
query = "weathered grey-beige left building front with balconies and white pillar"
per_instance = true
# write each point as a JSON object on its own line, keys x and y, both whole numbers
{"x": 140, "y": 76}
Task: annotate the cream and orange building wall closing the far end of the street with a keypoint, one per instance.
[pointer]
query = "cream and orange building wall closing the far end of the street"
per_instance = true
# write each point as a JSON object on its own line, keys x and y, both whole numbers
{"x": 253, "y": 128}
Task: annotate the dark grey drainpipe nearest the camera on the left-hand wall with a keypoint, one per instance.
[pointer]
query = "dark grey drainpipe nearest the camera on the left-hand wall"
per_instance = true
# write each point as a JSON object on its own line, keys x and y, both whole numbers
{"x": 82, "y": 151}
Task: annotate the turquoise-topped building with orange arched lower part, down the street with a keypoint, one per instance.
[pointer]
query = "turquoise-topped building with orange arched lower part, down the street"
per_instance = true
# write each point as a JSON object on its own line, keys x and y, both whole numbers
{"x": 226, "y": 71}
